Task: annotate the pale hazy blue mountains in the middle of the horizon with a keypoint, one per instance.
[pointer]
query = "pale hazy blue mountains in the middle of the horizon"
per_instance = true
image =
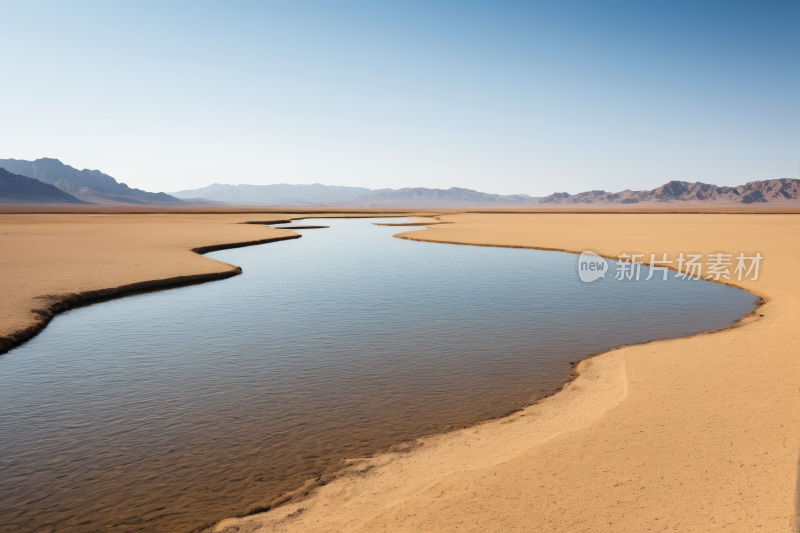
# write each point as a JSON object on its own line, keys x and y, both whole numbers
{"x": 317, "y": 194}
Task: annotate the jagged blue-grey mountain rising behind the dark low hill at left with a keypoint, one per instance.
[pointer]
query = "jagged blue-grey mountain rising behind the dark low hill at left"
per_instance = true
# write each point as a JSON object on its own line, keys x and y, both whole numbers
{"x": 88, "y": 185}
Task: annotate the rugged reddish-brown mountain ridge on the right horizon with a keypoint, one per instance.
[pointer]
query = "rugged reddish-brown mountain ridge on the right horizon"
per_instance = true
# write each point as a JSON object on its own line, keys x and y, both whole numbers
{"x": 682, "y": 191}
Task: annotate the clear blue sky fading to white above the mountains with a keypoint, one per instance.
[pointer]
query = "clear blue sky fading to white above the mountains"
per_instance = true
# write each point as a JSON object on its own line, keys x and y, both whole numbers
{"x": 506, "y": 97}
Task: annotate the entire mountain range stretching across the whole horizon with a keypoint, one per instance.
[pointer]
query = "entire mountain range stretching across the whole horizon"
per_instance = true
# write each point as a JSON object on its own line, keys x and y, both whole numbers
{"x": 70, "y": 185}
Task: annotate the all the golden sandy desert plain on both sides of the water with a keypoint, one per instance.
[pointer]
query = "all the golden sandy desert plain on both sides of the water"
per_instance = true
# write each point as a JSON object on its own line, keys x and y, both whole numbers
{"x": 691, "y": 434}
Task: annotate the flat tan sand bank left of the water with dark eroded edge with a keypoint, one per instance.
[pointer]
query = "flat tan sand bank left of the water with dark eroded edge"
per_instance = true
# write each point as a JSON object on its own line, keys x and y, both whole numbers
{"x": 54, "y": 260}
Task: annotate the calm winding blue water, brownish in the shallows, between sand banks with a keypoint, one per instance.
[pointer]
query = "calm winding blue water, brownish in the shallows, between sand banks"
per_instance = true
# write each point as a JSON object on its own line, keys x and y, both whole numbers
{"x": 170, "y": 410}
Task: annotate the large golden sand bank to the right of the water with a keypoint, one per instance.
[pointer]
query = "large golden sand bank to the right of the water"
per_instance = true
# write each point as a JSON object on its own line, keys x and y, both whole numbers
{"x": 693, "y": 434}
